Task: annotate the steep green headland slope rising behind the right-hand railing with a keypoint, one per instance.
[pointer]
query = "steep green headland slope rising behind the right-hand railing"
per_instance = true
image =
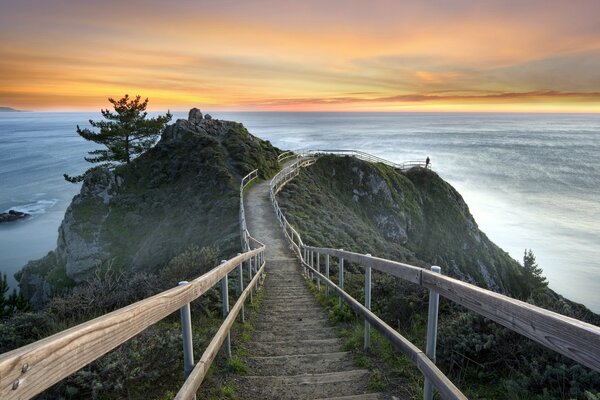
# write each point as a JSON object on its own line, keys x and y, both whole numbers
{"x": 413, "y": 216}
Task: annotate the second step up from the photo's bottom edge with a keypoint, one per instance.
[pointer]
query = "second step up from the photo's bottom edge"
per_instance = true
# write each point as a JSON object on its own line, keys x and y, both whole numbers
{"x": 301, "y": 364}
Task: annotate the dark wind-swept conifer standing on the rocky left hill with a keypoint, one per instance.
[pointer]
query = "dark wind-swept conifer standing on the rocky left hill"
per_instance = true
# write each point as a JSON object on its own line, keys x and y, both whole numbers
{"x": 126, "y": 133}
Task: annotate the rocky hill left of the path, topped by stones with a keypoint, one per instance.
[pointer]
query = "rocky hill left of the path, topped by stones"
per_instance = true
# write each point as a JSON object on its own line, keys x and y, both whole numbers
{"x": 182, "y": 192}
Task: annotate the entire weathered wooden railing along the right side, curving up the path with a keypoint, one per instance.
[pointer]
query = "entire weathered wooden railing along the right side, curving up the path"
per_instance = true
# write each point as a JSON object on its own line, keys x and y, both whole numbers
{"x": 575, "y": 339}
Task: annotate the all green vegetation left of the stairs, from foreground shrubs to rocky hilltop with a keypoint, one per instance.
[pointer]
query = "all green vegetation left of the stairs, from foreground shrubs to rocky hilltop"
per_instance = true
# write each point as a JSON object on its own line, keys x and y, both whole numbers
{"x": 168, "y": 215}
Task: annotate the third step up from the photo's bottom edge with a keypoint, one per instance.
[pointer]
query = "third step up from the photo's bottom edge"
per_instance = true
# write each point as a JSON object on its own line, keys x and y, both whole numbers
{"x": 294, "y": 347}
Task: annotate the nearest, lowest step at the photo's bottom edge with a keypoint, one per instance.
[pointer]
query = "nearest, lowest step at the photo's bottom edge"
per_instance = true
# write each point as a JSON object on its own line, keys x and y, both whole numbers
{"x": 306, "y": 386}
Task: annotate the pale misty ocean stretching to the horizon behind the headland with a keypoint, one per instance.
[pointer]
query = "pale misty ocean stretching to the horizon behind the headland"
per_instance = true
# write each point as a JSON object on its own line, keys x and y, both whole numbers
{"x": 532, "y": 181}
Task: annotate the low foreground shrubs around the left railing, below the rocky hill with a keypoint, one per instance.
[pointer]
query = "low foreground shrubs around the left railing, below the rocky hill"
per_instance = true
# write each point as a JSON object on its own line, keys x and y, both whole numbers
{"x": 150, "y": 364}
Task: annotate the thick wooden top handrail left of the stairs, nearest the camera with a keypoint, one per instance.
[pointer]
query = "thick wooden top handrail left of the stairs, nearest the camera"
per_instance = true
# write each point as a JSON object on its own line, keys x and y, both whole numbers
{"x": 37, "y": 366}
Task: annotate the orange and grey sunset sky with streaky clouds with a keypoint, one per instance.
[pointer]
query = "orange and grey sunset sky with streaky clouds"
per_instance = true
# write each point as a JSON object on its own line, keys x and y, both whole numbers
{"x": 326, "y": 55}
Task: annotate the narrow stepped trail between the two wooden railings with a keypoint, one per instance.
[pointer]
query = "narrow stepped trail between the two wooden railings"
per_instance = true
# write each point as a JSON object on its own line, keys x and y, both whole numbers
{"x": 294, "y": 353}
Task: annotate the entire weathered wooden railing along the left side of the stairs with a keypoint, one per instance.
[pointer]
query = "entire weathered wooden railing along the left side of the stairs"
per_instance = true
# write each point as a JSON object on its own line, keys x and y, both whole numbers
{"x": 29, "y": 370}
